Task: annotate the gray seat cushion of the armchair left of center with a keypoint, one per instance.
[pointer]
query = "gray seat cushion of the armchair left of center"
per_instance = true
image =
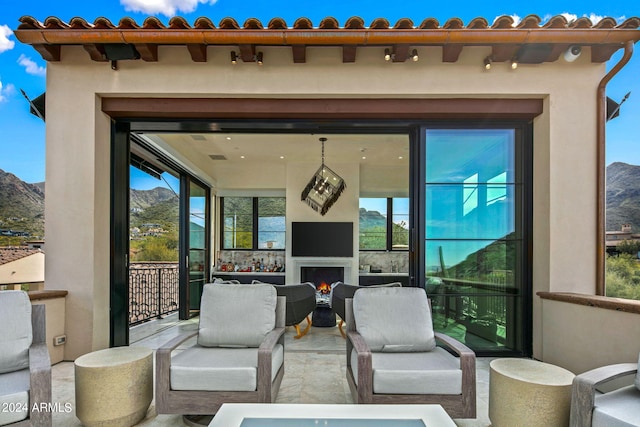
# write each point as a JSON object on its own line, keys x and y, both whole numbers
{"x": 220, "y": 369}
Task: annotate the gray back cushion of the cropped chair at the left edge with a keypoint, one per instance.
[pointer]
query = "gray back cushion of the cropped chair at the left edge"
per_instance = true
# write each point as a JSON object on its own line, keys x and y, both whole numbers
{"x": 16, "y": 337}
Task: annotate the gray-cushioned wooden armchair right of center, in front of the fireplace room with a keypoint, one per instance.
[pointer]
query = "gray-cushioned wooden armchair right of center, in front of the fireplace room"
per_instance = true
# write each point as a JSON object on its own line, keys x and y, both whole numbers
{"x": 392, "y": 355}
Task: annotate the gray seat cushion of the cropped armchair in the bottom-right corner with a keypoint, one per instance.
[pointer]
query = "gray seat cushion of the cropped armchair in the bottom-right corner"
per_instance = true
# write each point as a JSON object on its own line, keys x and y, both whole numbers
{"x": 619, "y": 408}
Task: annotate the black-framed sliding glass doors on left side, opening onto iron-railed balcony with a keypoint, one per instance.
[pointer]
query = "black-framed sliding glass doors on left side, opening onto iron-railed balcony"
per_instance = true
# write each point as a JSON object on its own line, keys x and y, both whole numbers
{"x": 160, "y": 216}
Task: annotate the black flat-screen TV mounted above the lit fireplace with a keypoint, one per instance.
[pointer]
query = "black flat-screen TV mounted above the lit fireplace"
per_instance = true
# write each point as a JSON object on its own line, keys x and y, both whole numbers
{"x": 322, "y": 239}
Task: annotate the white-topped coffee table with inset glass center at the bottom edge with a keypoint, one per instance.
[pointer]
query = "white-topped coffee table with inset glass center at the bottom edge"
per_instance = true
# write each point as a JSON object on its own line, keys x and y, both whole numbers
{"x": 313, "y": 415}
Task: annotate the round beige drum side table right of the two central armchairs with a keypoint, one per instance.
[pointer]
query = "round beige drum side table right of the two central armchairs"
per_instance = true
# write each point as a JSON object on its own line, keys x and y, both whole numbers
{"x": 524, "y": 392}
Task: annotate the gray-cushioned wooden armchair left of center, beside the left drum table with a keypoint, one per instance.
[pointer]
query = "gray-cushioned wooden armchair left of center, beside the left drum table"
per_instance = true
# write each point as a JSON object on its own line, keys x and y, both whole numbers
{"x": 239, "y": 356}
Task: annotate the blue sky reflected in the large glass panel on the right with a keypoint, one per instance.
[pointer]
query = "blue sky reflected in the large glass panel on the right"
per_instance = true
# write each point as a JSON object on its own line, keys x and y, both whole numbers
{"x": 470, "y": 191}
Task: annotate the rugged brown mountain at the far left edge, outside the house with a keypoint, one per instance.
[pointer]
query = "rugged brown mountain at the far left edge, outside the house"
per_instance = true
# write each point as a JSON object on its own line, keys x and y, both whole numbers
{"x": 21, "y": 206}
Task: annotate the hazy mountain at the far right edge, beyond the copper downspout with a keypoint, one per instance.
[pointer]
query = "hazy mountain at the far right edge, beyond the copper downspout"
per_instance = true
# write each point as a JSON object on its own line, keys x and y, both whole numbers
{"x": 623, "y": 196}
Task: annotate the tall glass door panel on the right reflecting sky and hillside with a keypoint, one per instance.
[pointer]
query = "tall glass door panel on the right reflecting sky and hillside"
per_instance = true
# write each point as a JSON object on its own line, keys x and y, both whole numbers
{"x": 475, "y": 210}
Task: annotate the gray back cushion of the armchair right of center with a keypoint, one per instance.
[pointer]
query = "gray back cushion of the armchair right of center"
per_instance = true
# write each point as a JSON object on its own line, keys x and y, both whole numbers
{"x": 394, "y": 319}
